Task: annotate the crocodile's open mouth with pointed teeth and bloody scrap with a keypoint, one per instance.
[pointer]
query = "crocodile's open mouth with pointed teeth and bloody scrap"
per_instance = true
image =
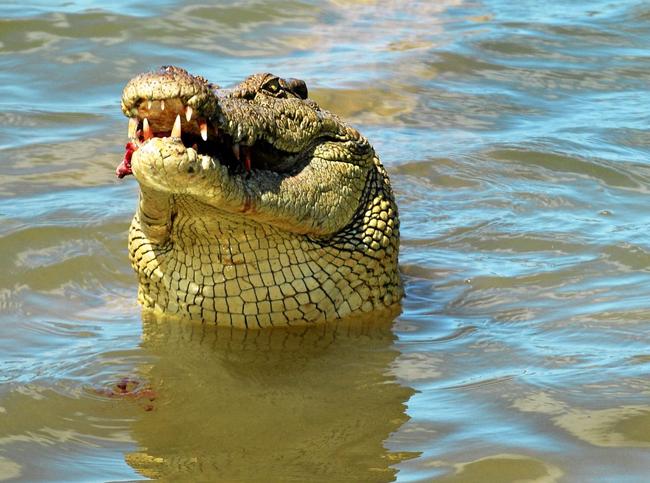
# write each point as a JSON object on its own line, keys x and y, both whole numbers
{"x": 171, "y": 118}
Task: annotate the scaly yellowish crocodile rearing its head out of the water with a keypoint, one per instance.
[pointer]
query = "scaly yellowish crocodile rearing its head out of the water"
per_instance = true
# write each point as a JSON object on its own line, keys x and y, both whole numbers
{"x": 257, "y": 207}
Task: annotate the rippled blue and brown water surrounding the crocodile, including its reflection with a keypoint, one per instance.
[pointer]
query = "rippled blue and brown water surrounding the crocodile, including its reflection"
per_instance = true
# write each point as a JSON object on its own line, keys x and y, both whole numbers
{"x": 516, "y": 137}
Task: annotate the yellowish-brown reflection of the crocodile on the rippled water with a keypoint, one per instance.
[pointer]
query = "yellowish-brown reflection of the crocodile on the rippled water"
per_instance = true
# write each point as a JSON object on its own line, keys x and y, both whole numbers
{"x": 312, "y": 404}
